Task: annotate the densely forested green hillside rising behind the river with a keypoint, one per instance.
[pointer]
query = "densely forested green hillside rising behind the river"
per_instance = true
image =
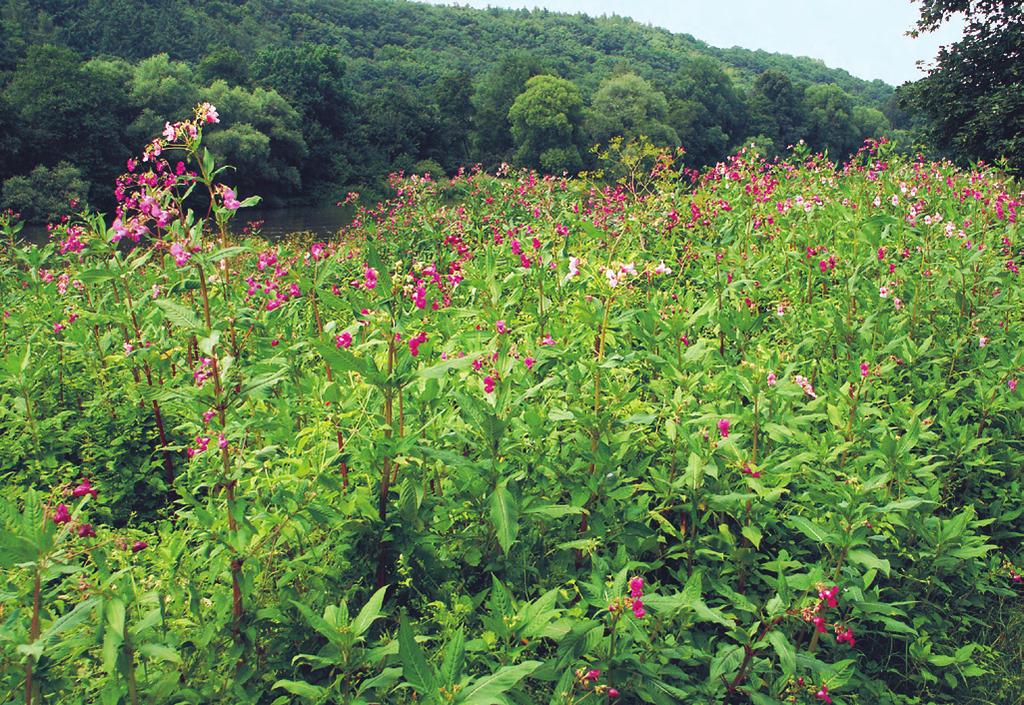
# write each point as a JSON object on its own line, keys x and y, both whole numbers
{"x": 324, "y": 96}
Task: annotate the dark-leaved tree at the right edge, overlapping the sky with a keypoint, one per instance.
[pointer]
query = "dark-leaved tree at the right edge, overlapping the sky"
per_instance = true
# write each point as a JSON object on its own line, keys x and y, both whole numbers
{"x": 973, "y": 98}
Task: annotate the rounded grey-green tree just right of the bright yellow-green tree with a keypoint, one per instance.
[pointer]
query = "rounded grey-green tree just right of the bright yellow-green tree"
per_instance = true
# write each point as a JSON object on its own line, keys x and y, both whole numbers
{"x": 628, "y": 107}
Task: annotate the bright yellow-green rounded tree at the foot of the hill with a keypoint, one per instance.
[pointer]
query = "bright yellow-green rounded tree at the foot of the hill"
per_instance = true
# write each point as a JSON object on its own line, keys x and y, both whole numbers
{"x": 546, "y": 120}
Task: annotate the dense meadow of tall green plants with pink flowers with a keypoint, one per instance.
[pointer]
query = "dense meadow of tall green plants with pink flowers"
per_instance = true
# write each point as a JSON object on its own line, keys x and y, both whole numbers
{"x": 747, "y": 436}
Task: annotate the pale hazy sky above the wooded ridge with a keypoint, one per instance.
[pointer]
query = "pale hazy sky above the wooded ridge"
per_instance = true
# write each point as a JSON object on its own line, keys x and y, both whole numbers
{"x": 866, "y": 37}
